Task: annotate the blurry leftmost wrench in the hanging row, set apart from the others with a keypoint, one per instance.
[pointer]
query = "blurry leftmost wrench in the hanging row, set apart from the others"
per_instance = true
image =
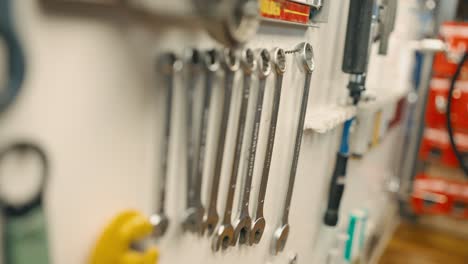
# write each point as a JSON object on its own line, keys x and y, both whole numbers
{"x": 169, "y": 64}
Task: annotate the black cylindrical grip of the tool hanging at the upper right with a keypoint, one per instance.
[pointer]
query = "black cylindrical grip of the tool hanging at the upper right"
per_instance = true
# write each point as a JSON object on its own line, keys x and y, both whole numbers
{"x": 357, "y": 36}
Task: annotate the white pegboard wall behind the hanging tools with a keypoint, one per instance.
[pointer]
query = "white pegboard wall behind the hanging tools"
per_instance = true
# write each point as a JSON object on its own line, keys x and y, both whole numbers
{"x": 93, "y": 100}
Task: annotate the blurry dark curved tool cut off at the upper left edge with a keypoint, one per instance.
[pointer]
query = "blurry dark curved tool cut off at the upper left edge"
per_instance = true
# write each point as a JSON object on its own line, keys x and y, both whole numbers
{"x": 15, "y": 55}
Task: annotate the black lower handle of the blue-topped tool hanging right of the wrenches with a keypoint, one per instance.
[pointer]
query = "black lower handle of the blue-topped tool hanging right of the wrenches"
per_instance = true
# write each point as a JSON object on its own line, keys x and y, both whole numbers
{"x": 337, "y": 186}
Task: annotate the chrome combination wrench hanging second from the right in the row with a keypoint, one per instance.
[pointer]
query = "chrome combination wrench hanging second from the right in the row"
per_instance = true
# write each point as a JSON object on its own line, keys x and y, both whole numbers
{"x": 258, "y": 226}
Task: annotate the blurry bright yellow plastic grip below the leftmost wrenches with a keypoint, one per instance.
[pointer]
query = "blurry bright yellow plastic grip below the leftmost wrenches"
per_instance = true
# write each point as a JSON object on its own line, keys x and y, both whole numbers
{"x": 113, "y": 246}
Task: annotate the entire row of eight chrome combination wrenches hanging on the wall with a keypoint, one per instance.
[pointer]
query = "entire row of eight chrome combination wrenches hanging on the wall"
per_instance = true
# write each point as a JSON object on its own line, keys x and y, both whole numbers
{"x": 246, "y": 228}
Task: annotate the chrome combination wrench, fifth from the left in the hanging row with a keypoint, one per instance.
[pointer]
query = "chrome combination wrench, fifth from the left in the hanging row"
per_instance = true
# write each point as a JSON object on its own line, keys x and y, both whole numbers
{"x": 224, "y": 235}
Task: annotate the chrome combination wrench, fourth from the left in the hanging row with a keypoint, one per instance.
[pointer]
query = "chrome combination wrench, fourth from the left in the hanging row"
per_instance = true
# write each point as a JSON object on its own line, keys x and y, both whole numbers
{"x": 230, "y": 62}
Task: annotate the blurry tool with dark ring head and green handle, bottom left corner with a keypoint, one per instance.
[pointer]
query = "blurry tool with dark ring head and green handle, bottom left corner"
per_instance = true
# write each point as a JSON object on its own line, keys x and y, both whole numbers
{"x": 25, "y": 233}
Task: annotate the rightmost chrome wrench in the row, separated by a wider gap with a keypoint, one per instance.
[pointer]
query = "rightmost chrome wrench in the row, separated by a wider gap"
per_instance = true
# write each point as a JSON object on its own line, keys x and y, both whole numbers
{"x": 280, "y": 236}
